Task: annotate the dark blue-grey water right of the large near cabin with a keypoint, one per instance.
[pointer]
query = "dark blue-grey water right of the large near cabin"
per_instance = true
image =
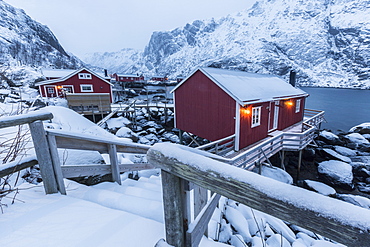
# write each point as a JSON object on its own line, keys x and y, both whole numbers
{"x": 344, "y": 108}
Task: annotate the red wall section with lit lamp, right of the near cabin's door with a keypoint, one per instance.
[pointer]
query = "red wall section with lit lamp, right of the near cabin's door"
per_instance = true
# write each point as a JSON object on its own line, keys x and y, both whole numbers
{"x": 287, "y": 114}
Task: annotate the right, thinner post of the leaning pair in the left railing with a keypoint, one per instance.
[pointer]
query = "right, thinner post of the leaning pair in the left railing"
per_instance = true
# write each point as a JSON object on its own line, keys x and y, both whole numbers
{"x": 56, "y": 164}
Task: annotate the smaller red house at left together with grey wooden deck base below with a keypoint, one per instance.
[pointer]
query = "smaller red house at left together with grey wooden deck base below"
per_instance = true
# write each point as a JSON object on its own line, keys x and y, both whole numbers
{"x": 86, "y": 91}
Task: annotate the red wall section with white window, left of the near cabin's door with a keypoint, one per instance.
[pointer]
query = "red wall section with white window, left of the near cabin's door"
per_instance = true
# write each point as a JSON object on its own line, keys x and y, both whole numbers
{"x": 249, "y": 135}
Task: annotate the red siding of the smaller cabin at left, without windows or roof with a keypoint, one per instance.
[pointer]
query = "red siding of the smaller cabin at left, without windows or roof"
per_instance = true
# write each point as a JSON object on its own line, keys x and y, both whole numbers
{"x": 99, "y": 86}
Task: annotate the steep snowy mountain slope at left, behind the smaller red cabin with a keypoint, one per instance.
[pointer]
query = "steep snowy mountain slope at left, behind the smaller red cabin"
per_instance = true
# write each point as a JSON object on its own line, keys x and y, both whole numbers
{"x": 26, "y": 43}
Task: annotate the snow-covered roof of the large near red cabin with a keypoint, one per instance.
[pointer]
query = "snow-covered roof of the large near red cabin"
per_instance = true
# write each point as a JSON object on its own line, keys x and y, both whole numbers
{"x": 247, "y": 87}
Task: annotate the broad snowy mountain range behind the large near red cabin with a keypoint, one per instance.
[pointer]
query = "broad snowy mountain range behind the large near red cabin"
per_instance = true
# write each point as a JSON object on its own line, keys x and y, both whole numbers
{"x": 326, "y": 42}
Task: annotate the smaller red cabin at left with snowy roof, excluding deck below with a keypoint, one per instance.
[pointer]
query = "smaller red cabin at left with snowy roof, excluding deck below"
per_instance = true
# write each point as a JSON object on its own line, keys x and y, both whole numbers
{"x": 82, "y": 81}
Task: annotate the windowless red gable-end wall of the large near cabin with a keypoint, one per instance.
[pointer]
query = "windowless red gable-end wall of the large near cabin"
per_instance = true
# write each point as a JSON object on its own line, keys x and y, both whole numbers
{"x": 204, "y": 109}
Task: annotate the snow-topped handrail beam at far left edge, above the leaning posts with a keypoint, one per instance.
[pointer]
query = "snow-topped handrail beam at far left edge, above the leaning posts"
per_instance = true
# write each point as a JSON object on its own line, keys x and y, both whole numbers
{"x": 24, "y": 118}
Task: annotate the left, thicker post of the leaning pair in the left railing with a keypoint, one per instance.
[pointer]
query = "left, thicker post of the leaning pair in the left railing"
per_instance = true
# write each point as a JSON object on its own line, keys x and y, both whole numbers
{"x": 43, "y": 157}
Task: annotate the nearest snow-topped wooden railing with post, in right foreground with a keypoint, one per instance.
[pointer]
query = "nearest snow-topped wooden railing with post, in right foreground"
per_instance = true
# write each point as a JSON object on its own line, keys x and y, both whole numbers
{"x": 329, "y": 217}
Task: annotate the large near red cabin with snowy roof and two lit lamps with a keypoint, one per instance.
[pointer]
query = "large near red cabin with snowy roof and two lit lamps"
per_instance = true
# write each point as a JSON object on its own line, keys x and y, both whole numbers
{"x": 216, "y": 103}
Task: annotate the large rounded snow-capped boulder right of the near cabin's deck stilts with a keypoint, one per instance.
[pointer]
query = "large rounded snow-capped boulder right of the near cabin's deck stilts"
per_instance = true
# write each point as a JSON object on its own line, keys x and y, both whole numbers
{"x": 336, "y": 173}
